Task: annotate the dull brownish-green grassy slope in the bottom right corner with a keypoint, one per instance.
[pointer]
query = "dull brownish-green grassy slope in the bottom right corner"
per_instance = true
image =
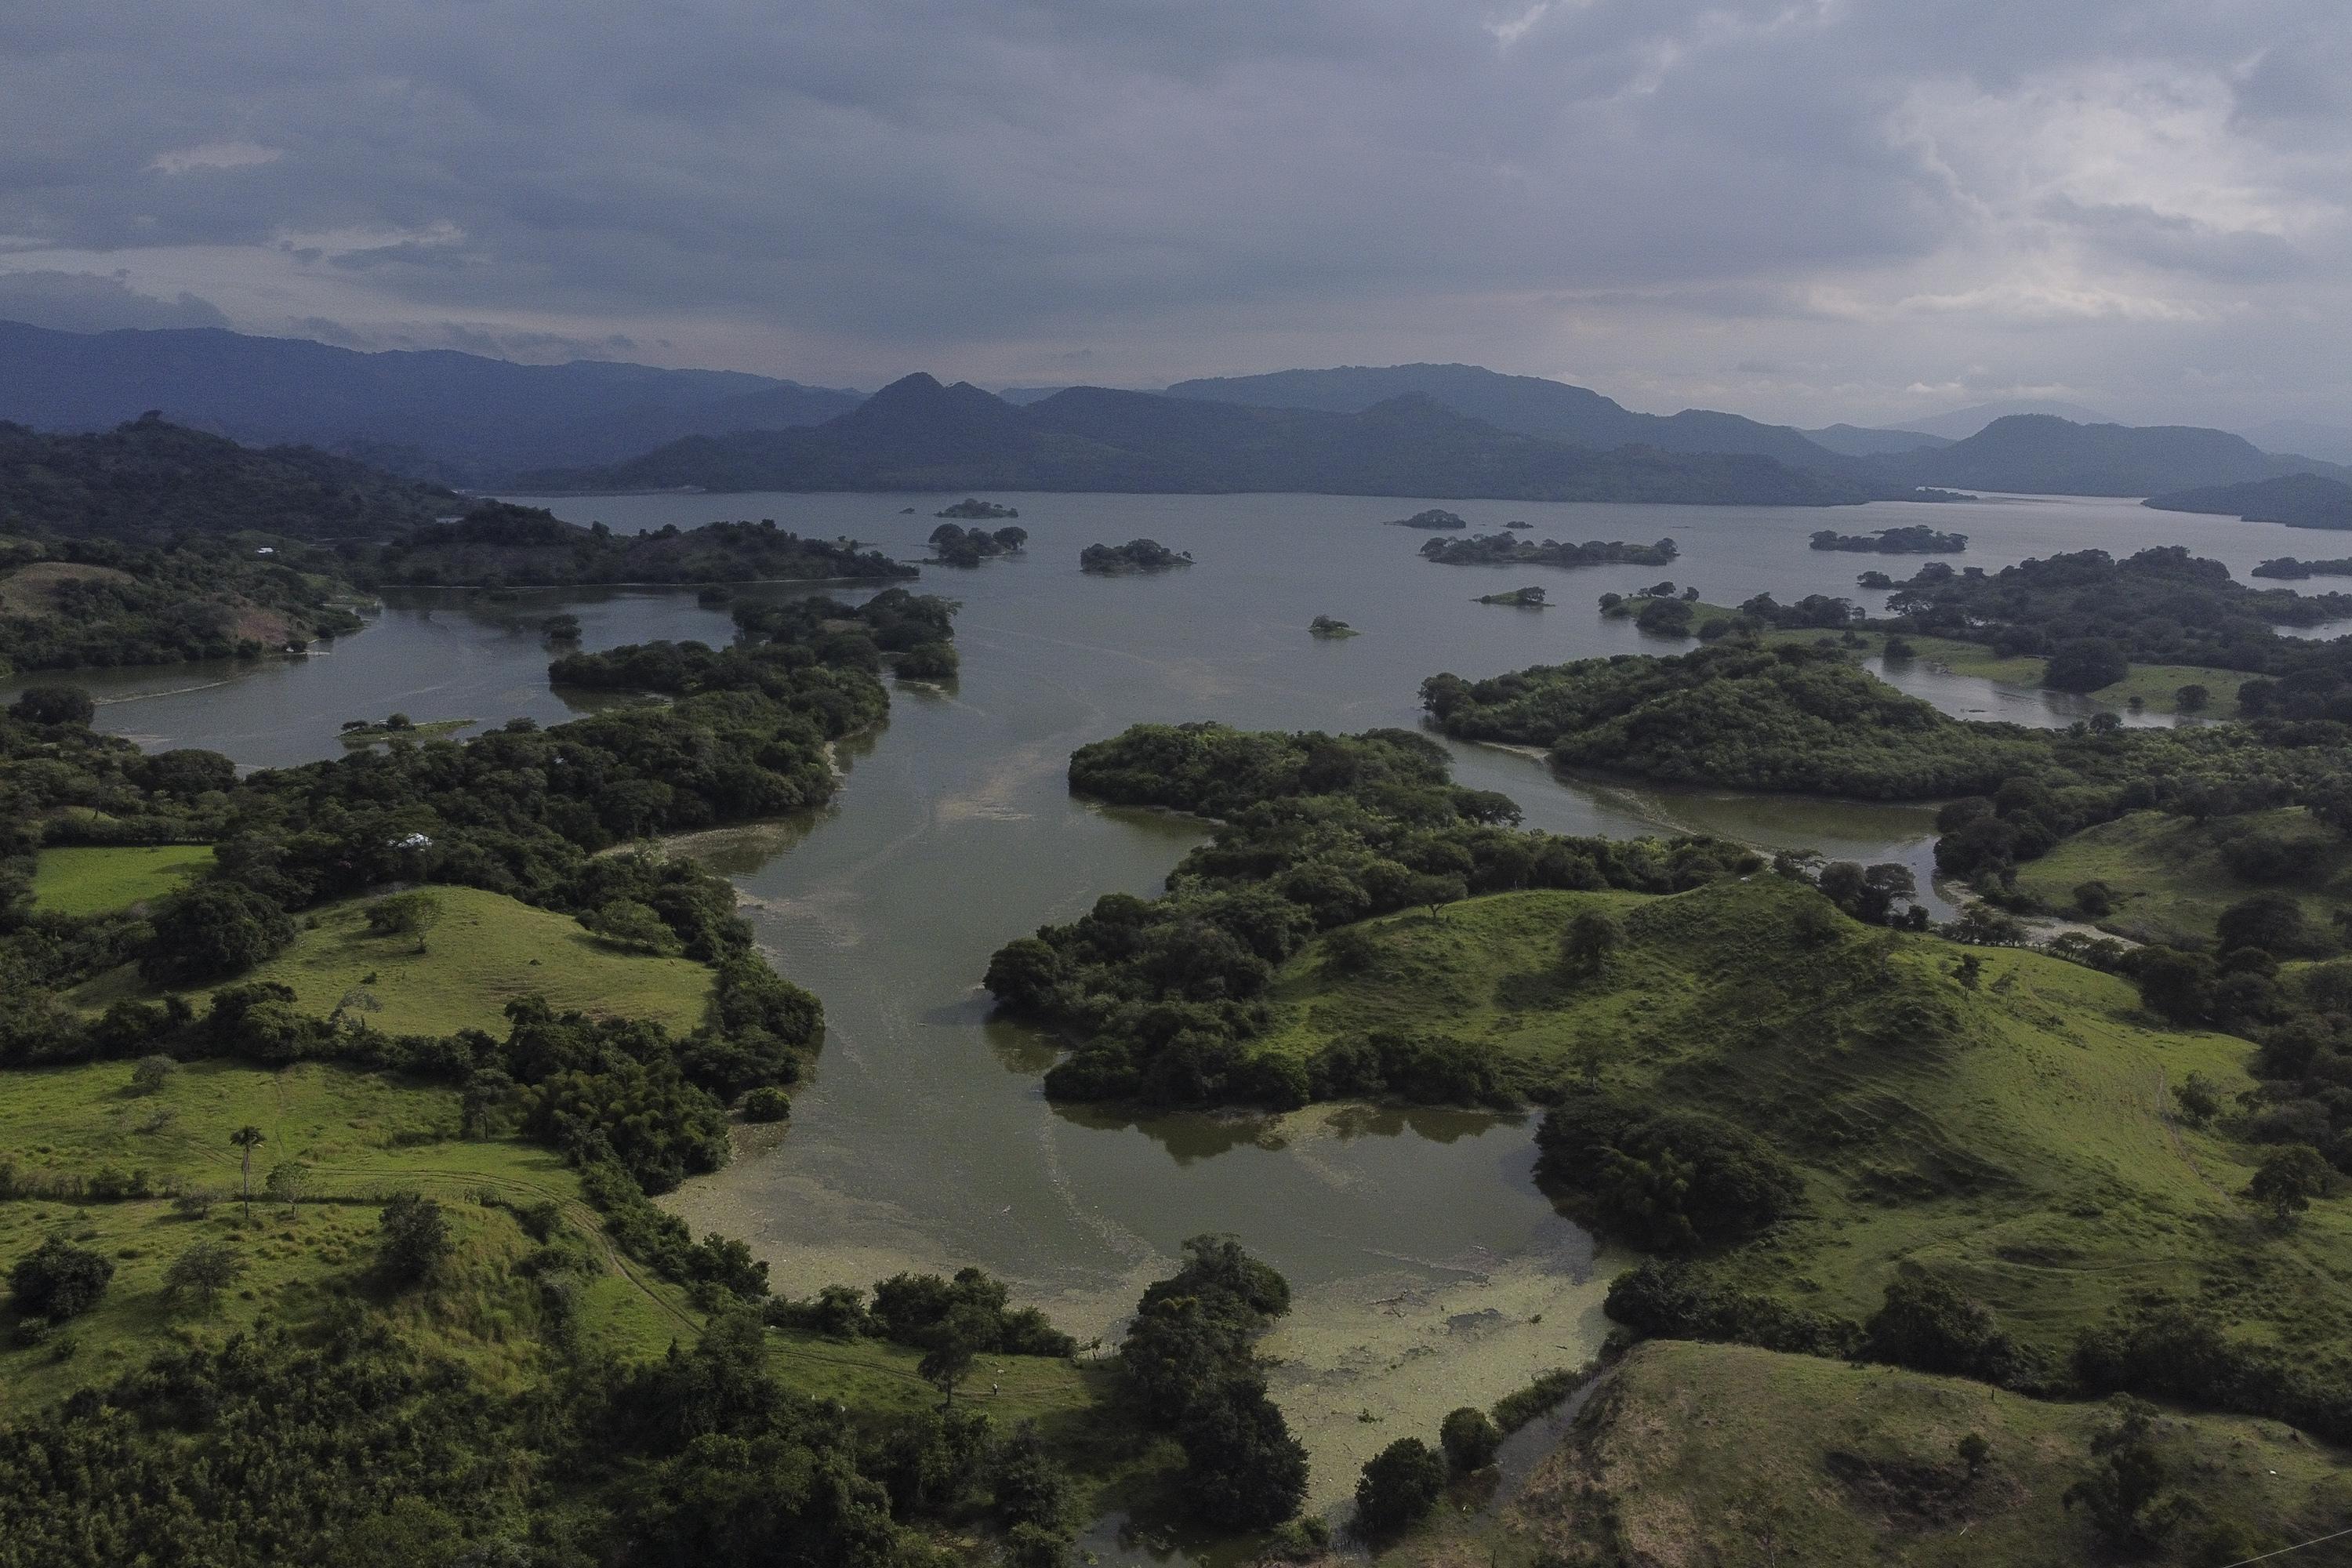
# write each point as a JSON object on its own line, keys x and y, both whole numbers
{"x": 1742, "y": 1459}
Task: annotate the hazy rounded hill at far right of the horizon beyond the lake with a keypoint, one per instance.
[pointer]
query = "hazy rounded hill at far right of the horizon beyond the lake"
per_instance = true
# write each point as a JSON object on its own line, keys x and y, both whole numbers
{"x": 2054, "y": 457}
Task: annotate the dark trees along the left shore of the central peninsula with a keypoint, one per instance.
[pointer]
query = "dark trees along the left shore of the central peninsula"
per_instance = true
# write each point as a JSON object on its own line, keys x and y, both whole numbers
{"x": 1316, "y": 831}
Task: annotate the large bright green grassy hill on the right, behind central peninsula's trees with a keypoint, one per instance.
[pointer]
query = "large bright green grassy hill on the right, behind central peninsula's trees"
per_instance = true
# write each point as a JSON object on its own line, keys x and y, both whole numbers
{"x": 2012, "y": 1134}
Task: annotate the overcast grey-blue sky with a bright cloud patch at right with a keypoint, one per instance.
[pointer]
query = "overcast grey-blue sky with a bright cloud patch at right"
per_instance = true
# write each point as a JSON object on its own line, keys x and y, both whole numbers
{"x": 1803, "y": 210}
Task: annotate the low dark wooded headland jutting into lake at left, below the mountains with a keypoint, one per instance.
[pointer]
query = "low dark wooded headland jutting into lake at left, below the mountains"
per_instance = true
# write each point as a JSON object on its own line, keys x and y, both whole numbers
{"x": 514, "y": 547}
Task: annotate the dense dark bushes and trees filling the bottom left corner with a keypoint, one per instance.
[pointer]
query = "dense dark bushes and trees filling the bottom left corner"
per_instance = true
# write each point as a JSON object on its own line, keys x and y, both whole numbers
{"x": 366, "y": 1449}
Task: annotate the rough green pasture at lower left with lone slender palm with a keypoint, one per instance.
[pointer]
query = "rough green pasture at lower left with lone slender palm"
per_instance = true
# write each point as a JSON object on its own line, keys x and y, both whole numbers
{"x": 363, "y": 1139}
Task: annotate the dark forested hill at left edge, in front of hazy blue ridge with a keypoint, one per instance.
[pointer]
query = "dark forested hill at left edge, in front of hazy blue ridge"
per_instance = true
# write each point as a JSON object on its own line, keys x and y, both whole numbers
{"x": 152, "y": 481}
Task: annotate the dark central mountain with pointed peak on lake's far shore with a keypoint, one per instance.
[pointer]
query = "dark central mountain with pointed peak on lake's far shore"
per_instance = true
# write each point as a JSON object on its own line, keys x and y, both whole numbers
{"x": 918, "y": 434}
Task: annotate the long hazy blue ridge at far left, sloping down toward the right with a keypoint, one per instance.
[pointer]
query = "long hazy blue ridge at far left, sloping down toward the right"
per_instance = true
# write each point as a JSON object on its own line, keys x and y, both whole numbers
{"x": 450, "y": 417}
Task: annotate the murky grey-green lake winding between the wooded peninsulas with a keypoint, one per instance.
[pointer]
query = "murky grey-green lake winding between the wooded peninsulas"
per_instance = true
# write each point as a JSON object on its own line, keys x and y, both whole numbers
{"x": 1429, "y": 1268}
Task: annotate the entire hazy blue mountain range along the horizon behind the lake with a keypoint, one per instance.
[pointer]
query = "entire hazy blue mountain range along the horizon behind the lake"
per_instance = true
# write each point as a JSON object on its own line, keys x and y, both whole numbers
{"x": 1405, "y": 429}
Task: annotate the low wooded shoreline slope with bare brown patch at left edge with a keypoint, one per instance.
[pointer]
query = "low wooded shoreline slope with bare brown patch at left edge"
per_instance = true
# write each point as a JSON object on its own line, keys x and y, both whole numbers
{"x": 95, "y": 603}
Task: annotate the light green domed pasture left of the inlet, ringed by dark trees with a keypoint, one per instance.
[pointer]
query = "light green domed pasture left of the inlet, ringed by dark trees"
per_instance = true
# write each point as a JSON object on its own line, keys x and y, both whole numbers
{"x": 481, "y": 953}
